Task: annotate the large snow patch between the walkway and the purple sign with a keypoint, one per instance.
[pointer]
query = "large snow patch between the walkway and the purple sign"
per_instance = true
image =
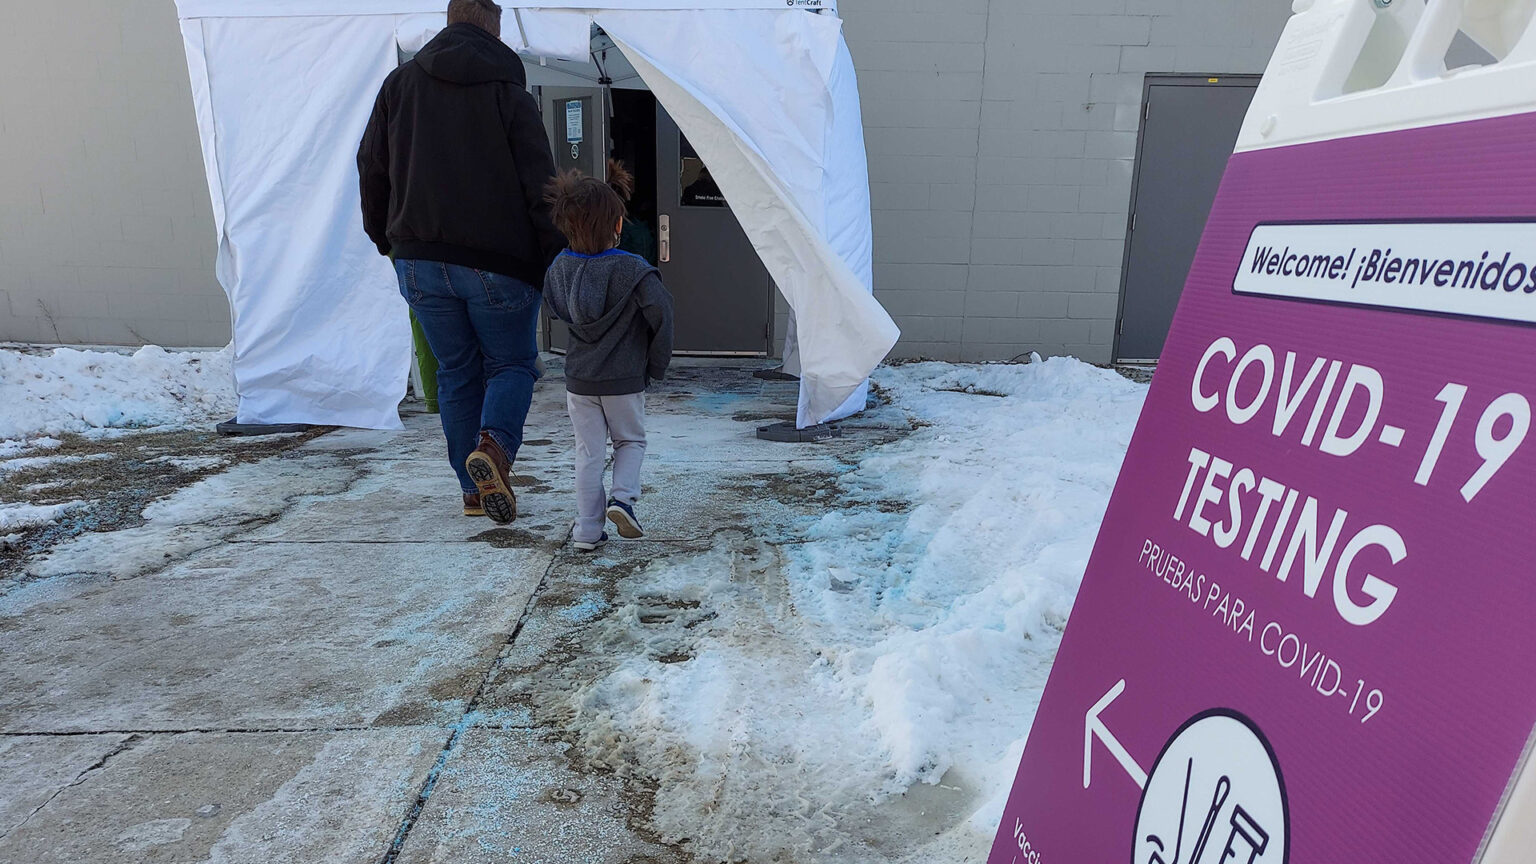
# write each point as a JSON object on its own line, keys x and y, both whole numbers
{"x": 901, "y": 637}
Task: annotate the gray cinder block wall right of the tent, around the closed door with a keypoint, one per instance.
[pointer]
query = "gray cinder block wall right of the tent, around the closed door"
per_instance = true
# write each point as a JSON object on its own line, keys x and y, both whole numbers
{"x": 1002, "y": 138}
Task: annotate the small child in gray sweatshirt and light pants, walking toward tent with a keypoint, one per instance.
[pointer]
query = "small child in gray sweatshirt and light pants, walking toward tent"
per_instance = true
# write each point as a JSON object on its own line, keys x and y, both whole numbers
{"x": 621, "y": 334}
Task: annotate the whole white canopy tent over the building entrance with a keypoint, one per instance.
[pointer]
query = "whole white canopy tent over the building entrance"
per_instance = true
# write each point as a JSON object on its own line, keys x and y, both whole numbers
{"x": 764, "y": 90}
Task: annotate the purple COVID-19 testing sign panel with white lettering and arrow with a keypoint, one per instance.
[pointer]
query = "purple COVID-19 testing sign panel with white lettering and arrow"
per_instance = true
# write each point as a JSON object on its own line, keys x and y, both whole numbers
{"x": 1306, "y": 628}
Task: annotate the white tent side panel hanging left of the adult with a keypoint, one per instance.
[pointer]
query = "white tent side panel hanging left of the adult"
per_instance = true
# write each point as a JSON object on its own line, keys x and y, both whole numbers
{"x": 322, "y": 333}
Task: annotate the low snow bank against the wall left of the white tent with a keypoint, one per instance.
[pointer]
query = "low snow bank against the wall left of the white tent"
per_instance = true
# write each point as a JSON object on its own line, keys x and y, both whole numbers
{"x": 84, "y": 391}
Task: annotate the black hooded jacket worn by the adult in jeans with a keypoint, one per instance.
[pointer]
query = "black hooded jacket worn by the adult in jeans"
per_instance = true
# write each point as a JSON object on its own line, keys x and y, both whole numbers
{"x": 455, "y": 161}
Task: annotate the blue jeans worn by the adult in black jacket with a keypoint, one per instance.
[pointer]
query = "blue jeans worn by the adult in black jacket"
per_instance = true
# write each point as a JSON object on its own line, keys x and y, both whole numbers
{"x": 483, "y": 330}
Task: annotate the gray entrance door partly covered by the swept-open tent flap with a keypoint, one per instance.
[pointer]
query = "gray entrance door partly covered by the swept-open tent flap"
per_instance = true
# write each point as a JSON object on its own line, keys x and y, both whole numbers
{"x": 721, "y": 288}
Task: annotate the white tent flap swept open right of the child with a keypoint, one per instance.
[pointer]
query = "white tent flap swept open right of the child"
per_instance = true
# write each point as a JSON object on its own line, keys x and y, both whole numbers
{"x": 760, "y": 111}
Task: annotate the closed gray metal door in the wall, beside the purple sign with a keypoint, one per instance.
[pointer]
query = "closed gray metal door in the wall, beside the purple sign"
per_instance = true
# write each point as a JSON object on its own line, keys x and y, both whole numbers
{"x": 1188, "y": 131}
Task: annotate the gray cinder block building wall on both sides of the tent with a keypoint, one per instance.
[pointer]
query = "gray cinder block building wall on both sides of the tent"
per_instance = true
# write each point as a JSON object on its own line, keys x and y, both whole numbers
{"x": 1001, "y": 136}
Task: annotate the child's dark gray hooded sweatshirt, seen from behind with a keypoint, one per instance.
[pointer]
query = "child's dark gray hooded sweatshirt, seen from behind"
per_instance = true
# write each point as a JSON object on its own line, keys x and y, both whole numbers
{"x": 620, "y": 317}
